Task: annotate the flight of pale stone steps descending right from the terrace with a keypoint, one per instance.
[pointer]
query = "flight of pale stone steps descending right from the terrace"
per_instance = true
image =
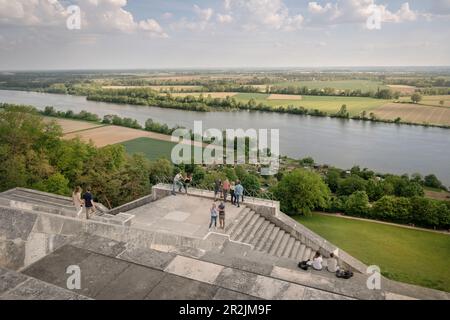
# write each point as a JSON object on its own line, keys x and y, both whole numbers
{"x": 255, "y": 230}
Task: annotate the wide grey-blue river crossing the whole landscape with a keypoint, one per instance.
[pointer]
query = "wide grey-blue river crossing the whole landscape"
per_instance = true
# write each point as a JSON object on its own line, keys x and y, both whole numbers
{"x": 386, "y": 148}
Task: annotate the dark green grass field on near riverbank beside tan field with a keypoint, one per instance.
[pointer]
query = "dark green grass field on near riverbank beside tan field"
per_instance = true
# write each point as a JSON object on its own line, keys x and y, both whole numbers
{"x": 151, "y": 148}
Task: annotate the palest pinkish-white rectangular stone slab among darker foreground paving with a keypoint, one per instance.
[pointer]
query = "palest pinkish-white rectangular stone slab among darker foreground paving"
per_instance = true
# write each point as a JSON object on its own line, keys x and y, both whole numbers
{"x": 194, "y": 269}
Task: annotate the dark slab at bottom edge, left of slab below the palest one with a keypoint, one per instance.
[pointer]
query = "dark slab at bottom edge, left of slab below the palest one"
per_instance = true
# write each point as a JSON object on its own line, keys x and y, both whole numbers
{"x": 134, "y": 283}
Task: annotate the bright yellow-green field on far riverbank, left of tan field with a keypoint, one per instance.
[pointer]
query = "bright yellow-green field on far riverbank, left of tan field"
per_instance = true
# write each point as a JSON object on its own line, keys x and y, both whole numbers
{"x": 355, "y": 105}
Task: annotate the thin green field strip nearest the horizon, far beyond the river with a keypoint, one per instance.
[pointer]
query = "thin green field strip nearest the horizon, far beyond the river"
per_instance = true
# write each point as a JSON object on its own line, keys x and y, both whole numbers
{"x": 363, "y": 85}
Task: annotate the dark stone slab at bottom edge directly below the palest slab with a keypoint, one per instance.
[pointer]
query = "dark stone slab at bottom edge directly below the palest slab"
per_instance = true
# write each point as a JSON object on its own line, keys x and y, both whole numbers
{"x": 173, "y": 287}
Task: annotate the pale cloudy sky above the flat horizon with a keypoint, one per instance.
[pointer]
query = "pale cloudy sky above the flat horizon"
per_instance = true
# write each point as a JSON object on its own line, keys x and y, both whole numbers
{"x": 157, "y": 34}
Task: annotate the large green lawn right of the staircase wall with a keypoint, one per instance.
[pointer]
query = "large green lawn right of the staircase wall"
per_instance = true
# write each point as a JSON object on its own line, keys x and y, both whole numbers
{"x": 411, "y": 256}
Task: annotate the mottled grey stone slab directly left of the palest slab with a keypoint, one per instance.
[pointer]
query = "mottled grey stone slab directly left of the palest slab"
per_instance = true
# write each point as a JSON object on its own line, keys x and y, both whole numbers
{"x": 147, "y": 257}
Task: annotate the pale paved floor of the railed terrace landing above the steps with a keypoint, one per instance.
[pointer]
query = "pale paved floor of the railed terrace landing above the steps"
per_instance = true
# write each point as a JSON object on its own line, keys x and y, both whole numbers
{"x": 181, "y": 215}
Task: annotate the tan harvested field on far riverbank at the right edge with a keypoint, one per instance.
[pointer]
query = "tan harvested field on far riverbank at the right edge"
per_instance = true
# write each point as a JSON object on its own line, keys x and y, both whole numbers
{"x": 414, "y": 113}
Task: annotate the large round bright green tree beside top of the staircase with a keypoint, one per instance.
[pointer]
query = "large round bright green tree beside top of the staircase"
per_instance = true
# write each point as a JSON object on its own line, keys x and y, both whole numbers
{"x": 302, "y": 191}
